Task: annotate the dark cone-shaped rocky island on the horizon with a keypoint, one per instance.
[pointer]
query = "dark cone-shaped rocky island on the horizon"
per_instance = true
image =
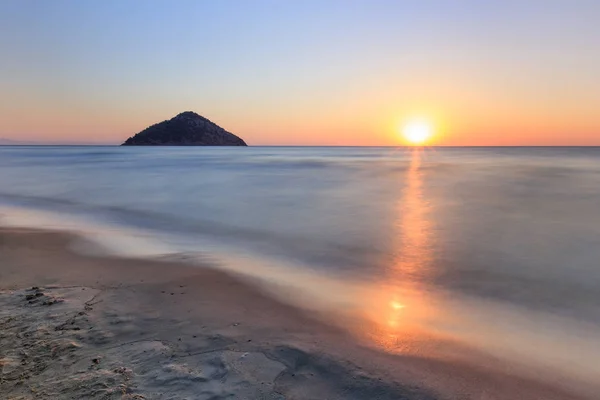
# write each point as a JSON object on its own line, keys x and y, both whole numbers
{"x": 185, "y": 129}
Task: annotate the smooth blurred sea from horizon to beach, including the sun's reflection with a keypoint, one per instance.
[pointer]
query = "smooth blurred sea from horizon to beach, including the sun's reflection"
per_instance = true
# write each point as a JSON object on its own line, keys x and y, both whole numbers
{"x": 495, "y": 248}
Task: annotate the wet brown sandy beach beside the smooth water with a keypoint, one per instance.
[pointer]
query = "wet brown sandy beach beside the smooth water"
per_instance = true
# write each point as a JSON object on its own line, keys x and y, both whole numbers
{"x": 76, "y": 326}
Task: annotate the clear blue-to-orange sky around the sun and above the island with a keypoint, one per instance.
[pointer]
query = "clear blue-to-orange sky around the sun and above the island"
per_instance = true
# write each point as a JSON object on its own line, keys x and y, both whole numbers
{"x": 303, "y": 72}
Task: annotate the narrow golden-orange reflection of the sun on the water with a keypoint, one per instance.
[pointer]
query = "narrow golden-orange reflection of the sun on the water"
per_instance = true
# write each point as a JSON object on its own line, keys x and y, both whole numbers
{"x": 400, "y": 305}
